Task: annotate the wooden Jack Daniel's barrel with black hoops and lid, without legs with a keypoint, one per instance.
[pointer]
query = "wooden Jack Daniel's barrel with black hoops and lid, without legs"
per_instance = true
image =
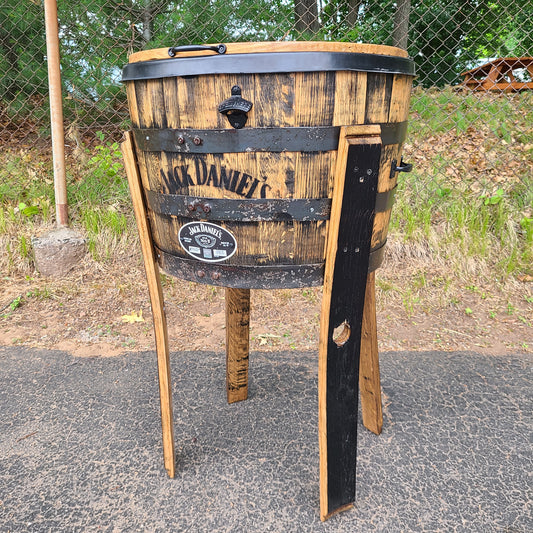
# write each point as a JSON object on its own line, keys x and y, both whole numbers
{"x": 237, "y": 147}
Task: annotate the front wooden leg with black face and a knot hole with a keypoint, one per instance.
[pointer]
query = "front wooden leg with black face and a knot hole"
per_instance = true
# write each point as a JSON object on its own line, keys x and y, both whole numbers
{"x": 345, "y": 276}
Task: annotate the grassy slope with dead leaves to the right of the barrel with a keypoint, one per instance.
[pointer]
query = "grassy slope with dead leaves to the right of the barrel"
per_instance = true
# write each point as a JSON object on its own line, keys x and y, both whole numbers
{"x": 470, "y": 194}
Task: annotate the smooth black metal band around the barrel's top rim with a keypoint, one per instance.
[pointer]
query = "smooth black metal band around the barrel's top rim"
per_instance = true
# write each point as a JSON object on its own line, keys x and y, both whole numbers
{"x": 268, "y": 63}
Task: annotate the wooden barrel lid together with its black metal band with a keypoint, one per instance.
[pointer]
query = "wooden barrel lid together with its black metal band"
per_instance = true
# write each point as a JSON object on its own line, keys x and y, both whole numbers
{"x": 267, "y": 57}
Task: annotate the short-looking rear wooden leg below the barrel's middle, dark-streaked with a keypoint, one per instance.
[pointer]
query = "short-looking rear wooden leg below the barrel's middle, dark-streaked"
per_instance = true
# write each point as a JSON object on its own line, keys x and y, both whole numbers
{"x": 237, "y": 343}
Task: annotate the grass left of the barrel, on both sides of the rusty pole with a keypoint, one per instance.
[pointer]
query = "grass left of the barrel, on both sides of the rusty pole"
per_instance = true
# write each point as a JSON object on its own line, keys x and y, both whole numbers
{"x": 98, "y": 200}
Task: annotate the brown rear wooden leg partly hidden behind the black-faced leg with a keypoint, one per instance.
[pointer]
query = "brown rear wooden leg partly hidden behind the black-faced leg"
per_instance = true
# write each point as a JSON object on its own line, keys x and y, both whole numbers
{"x": 369, "y": 379}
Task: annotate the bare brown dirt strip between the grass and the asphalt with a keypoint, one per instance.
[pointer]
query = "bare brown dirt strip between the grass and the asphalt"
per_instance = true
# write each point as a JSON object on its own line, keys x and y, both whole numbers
{"x": 105, "y": 311}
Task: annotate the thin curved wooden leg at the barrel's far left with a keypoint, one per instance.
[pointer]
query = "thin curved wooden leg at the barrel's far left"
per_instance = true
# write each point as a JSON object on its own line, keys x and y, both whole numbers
{"x": 156, "y": 298}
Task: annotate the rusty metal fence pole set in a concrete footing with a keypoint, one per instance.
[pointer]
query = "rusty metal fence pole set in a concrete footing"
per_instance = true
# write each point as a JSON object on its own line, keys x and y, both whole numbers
{"x": 56, "y": 111}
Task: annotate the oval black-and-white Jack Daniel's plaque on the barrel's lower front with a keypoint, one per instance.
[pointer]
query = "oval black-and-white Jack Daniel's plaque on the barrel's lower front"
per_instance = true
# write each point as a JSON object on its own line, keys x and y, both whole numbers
{"x": 207, "y": 242}
